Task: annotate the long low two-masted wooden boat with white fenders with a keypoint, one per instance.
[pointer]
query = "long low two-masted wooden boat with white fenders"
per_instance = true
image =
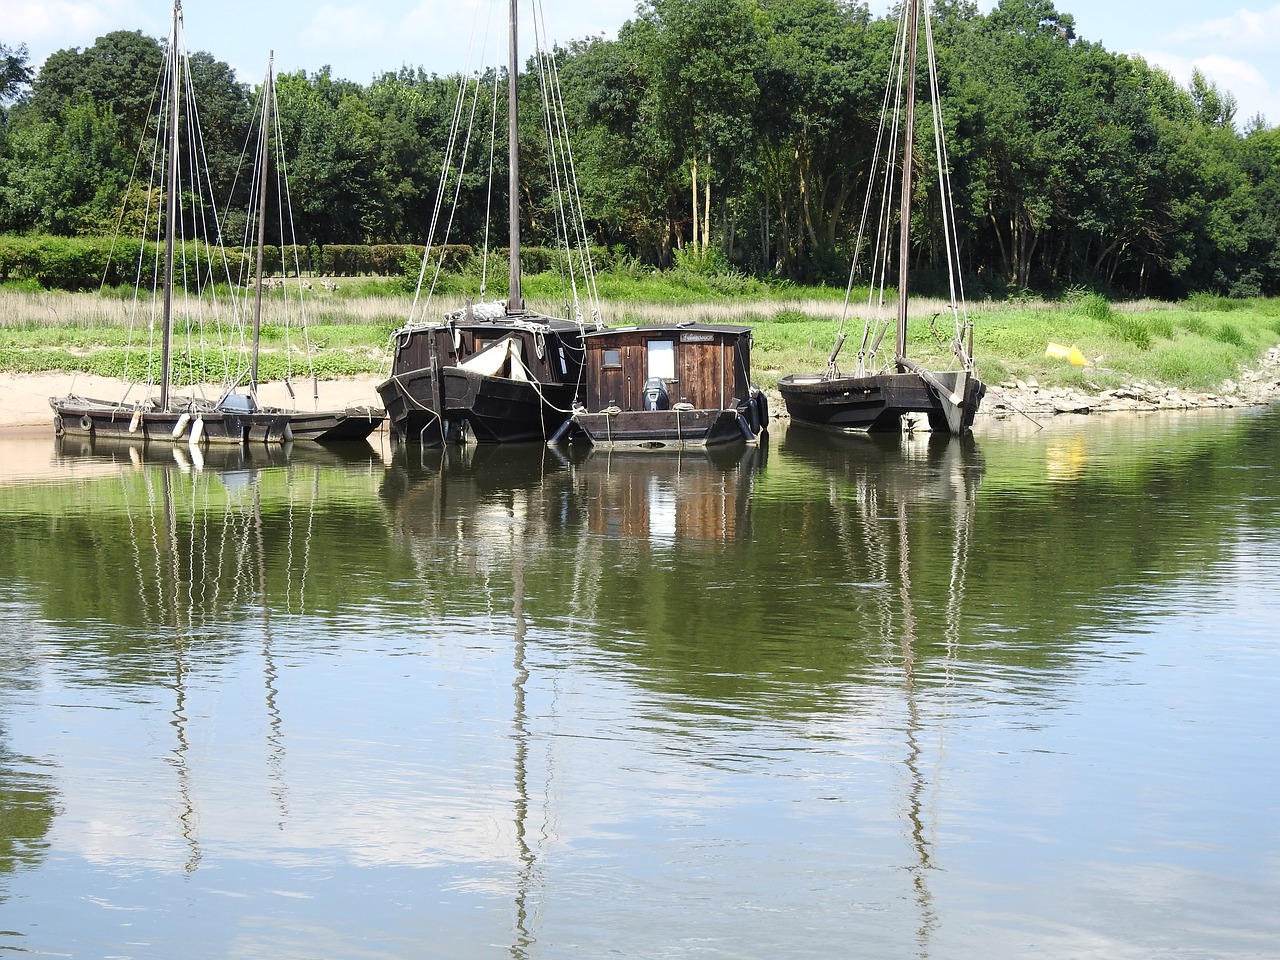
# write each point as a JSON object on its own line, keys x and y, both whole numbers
{"x": 235, "y": 417}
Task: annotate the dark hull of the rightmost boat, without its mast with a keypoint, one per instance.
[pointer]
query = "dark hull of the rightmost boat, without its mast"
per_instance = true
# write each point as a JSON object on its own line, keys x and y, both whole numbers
{"x": 879, "y": 403}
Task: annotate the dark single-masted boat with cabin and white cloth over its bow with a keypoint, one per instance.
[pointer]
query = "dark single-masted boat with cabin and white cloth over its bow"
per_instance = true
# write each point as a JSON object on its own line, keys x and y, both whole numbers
{"x": 492, "y": 373}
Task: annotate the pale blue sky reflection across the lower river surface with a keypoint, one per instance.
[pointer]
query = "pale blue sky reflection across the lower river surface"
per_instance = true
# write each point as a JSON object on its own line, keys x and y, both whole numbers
{"x": 392, "y": 767}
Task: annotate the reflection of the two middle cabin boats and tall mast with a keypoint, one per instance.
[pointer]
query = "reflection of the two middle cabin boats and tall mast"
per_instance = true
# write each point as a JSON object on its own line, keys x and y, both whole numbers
{"x": 483, "y": 524}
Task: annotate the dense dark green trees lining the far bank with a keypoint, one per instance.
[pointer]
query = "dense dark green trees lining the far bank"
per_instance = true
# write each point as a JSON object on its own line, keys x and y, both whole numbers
{"x": 1073, "y": 166}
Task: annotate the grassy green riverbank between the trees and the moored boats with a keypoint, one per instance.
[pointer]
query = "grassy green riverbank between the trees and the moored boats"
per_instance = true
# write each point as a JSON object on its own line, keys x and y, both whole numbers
{"x": 1196, "y": 345}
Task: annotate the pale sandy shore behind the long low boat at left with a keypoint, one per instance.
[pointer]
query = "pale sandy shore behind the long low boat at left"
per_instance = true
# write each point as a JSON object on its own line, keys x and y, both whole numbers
{"x": 25, "y": 397}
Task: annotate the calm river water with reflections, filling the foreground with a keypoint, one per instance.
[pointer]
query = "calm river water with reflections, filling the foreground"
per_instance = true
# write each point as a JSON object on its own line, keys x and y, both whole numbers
{"x": 838, "y": 697}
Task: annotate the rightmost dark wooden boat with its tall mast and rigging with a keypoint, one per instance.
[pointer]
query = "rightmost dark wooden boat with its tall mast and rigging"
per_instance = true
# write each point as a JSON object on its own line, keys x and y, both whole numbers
{"x": 879, "y": 396}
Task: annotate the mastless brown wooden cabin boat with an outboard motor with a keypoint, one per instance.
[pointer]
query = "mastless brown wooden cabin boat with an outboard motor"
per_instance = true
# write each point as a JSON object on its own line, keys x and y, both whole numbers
{"x": 669, "y": 386}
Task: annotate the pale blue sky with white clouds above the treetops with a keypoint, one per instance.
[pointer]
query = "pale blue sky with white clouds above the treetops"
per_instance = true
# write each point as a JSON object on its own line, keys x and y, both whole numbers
{"x": 1237, "y": 47}
